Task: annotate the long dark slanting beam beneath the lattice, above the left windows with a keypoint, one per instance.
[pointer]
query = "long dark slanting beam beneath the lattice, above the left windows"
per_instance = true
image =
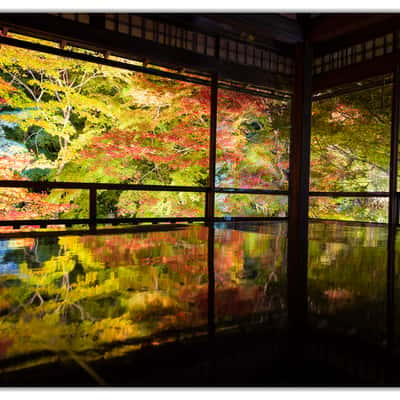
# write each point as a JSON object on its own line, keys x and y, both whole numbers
{"x": 54, "y": 28}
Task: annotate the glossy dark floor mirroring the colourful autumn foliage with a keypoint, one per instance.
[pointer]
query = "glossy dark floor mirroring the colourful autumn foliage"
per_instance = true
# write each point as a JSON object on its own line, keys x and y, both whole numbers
{"x": 193, "y": 305}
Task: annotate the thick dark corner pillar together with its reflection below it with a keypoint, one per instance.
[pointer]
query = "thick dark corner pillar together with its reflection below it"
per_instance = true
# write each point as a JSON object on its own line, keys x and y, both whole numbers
{"x": 299, "y": 191}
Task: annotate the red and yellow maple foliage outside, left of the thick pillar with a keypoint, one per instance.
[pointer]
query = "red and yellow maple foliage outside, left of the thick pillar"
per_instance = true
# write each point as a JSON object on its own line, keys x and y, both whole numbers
{"x": 90, "y": 123}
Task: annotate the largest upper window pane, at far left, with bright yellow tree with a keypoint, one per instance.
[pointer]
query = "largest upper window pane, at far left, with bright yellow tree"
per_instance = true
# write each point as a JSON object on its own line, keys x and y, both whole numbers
{"x": 69, "y": 120}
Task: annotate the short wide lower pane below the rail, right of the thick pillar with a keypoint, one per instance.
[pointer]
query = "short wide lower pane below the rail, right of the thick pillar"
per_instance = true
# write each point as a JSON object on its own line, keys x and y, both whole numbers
{"x": 368, "y": 209}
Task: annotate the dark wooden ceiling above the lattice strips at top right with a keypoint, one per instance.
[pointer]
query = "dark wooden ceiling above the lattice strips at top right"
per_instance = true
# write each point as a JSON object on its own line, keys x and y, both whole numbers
{"x": 326, "y": 31}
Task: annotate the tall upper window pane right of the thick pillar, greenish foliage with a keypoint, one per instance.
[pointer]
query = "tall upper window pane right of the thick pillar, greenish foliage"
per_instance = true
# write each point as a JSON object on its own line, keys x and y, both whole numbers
{"x": 350, "y": 141}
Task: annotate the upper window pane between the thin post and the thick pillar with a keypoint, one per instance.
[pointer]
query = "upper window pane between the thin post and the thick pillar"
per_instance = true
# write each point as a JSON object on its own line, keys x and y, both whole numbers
{"x": 252, "y": 141}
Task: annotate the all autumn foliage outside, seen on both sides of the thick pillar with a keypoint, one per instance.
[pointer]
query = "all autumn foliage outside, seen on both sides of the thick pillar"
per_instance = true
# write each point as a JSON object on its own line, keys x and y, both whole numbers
{"x": 90, "y": 123}
